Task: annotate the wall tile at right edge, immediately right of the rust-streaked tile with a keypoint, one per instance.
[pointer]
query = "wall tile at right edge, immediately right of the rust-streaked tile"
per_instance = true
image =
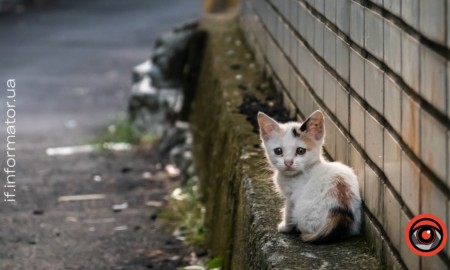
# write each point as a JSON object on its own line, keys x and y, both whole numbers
{"x": 433, "y": 139}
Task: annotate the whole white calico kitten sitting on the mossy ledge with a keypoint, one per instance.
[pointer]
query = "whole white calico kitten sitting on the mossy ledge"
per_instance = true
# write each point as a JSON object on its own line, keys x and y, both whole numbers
{"x": 322, "y": 198}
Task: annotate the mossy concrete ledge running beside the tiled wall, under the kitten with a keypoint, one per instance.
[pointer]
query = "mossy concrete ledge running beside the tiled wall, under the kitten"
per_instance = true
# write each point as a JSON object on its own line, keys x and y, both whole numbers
{"x": 243, "y": 209}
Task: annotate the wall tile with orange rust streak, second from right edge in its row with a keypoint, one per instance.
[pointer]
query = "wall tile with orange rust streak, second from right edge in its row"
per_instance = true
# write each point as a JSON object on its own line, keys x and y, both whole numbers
{"x": 410, "y": 123}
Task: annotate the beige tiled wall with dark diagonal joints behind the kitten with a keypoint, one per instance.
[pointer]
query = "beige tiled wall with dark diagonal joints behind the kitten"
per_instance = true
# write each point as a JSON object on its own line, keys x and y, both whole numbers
{"x": 379, "y": 70}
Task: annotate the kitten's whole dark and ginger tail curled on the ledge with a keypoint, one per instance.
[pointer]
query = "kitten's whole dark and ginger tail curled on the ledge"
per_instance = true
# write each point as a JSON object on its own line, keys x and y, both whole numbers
{"x": 337, "y": 226}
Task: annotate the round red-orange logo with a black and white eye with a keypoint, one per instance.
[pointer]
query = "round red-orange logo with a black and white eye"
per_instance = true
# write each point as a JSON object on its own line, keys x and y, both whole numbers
{"x": 426, "y": 235}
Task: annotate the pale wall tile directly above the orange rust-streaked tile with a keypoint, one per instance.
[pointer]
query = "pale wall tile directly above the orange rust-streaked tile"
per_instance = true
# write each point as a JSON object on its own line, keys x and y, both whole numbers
{"x": 410, "y": 61}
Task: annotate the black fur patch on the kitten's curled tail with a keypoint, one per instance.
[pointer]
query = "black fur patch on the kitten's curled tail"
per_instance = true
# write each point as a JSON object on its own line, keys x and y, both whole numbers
{"x": 342, "y": 228}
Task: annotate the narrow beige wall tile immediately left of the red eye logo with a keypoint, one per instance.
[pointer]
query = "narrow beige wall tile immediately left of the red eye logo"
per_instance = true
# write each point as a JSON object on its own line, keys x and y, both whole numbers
{"x": 391, "y": 222}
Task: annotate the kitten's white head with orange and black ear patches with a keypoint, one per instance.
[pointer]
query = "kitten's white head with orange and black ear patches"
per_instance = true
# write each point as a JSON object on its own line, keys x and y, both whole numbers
{"x": 293, "y": 147}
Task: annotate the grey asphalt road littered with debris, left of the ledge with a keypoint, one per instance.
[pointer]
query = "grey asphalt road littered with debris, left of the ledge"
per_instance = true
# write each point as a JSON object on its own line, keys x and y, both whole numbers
{"x": 72, "y": 66}
